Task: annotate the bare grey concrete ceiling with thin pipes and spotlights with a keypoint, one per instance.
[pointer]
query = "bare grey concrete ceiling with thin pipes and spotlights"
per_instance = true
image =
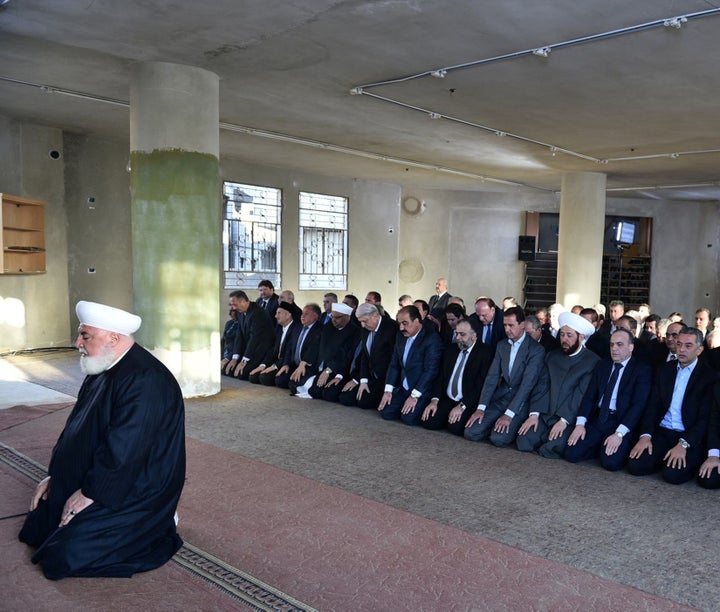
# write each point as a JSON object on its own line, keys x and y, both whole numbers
{"x": 288, "y": 68}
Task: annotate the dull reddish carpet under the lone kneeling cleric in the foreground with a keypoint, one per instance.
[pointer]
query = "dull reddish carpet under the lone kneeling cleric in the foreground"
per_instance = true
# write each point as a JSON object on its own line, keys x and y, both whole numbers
{"x": 333, "y": 549}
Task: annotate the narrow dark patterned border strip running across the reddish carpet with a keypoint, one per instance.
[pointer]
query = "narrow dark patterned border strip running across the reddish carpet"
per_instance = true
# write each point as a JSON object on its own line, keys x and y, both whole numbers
{"x": 232, "y": 581}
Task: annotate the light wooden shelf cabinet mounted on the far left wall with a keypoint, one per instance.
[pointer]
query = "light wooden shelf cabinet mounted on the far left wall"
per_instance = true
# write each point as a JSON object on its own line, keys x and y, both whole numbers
{"x": 23, "y": 235}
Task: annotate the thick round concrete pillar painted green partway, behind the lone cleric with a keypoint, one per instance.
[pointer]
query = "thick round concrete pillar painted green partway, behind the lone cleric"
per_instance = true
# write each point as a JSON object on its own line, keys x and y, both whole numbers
{"x": 175, "y": 195}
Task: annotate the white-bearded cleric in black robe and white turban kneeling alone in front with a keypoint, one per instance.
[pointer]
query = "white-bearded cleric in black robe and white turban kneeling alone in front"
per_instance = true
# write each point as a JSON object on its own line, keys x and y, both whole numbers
{"x": 116, "y": 473}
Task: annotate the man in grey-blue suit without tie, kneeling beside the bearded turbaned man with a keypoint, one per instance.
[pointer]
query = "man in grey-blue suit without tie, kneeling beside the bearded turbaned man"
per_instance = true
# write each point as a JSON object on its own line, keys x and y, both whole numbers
{"x": 515, "y": 370}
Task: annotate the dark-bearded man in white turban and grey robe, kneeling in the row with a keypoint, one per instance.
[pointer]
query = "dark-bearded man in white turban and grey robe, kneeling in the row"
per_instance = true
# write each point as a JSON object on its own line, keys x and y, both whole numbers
{"x": 569, "y": 369}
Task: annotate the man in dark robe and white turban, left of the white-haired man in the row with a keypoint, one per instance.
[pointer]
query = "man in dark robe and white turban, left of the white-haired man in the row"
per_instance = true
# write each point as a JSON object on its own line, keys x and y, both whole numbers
{"x": 337, "y": 347}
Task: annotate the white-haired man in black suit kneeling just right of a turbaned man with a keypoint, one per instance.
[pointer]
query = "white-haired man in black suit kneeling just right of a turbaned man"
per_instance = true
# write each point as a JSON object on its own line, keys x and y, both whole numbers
{"x": 366, "y": 383}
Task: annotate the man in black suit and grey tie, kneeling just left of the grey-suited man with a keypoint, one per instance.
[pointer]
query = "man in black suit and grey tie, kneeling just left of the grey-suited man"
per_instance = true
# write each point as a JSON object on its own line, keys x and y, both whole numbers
{"x": 465, "y": 365}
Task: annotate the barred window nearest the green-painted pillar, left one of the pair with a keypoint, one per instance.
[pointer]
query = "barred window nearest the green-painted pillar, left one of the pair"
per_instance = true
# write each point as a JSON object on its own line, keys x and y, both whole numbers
{"x": 251, "y": 235}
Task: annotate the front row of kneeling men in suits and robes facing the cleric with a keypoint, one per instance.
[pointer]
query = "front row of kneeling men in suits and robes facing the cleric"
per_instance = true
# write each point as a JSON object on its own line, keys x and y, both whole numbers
{"x": 568, "y": 402}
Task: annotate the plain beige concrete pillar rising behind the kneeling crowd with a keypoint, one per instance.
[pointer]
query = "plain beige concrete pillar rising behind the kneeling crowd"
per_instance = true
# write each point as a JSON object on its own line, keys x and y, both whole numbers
{"x": 580, "y": 244}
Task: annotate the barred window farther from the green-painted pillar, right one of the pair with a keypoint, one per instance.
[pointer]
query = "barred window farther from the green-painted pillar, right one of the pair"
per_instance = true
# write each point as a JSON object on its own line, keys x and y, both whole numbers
{"x": 323, "y": 241}
